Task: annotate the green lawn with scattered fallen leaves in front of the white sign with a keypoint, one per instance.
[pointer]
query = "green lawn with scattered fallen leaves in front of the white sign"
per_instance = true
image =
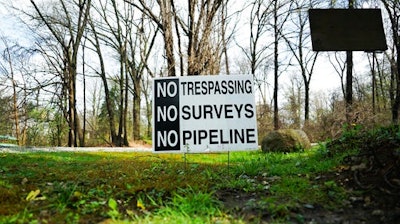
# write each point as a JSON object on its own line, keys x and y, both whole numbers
{"x": 53, "y": 187}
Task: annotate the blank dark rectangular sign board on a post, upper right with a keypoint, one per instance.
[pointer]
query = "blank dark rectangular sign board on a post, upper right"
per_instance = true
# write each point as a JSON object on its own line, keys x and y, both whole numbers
{"x": 347, "y": 30}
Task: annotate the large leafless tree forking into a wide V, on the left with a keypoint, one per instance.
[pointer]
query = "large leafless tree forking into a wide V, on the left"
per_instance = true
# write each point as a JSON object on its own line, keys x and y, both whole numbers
{"x": 67, "y": 28}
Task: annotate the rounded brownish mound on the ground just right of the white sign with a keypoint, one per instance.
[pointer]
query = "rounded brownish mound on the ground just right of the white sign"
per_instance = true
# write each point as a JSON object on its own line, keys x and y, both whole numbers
{"x": 285, "y": 140}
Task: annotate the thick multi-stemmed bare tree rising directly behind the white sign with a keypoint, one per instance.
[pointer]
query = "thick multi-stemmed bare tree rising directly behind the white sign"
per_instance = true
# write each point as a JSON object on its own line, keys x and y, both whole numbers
{"x": 199, "y": 21}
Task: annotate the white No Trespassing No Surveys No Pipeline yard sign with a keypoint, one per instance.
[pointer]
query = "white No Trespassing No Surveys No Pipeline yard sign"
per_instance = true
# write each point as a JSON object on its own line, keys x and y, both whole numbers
{"x": 193, "y": 114}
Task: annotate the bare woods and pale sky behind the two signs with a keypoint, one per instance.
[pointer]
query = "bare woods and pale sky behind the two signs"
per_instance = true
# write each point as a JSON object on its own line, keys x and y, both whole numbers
{"x": 82, "y": 75}
